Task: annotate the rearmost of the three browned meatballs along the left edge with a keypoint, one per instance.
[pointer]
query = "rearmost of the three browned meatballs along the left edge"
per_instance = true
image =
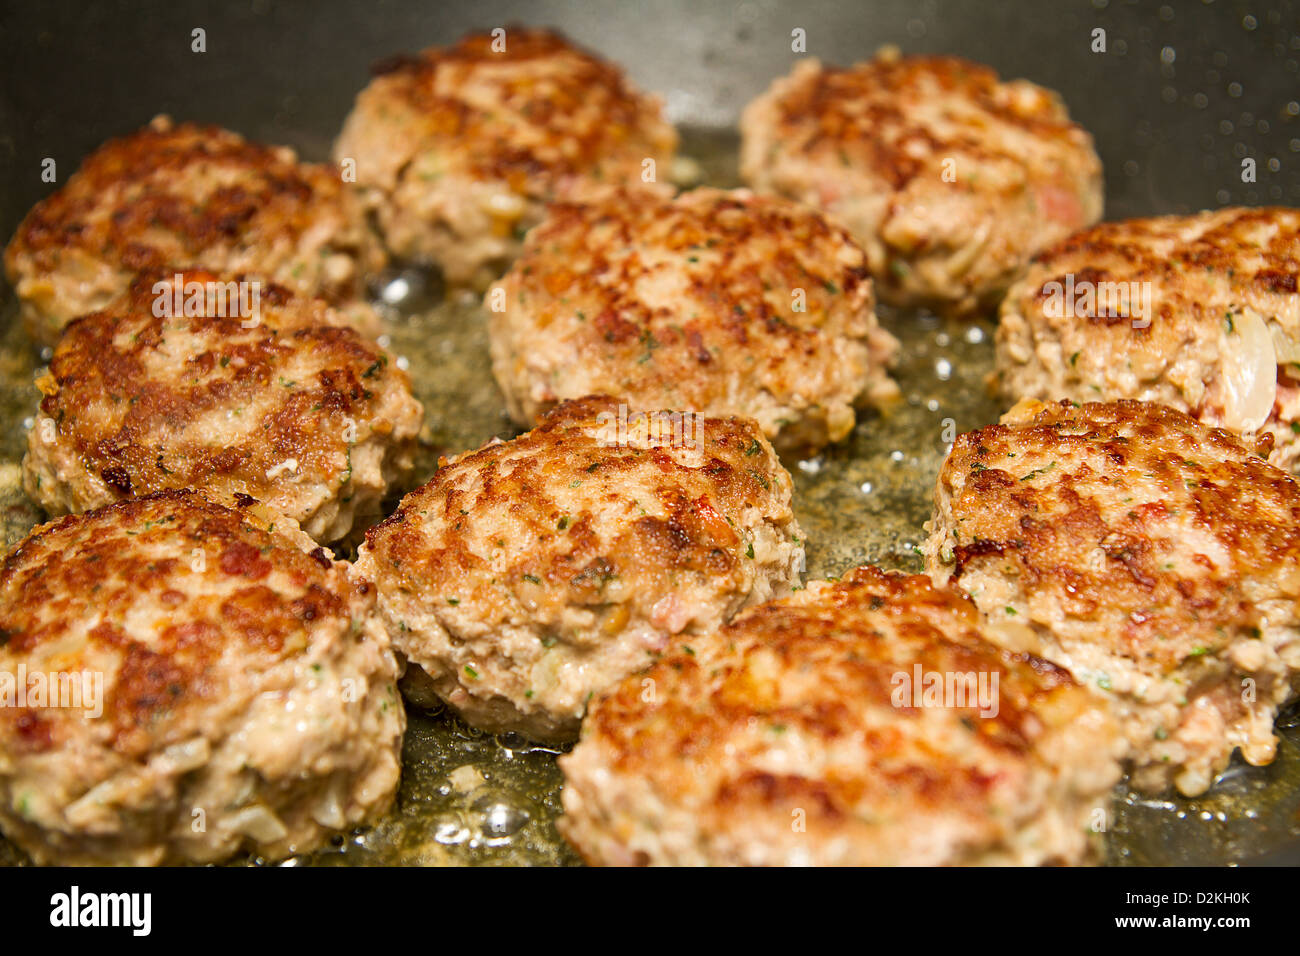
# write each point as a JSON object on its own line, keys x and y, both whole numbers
{"x": 187, "y": 196}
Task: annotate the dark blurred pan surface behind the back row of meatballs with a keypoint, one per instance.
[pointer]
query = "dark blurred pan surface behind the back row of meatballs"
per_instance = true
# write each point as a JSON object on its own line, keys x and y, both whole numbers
{"x": 1184, "y": 93}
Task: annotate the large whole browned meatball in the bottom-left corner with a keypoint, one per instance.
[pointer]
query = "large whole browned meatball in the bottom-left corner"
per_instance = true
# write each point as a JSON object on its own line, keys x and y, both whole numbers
{"x": 184, "y": 682}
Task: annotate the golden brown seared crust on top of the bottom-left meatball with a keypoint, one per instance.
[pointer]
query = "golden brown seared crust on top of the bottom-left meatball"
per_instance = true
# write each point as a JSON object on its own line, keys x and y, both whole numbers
{"x": 267, "y": 596}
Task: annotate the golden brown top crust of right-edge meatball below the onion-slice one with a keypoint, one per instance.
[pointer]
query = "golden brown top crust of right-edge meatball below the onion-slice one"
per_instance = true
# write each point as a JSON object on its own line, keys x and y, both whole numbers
{"x": 1054, "y": 485}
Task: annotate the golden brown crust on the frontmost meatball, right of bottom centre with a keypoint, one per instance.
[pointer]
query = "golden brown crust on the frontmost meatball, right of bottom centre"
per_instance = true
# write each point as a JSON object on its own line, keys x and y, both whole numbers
{"x": 920, "y": 624}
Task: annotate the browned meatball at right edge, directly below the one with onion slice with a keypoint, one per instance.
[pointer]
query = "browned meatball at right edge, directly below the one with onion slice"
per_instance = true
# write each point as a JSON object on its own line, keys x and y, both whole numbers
{"x": 1155, "y": 557}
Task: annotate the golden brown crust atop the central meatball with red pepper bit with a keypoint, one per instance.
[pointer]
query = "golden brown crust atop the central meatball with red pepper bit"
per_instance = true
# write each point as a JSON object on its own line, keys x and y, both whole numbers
{"x": 692, "y": 537}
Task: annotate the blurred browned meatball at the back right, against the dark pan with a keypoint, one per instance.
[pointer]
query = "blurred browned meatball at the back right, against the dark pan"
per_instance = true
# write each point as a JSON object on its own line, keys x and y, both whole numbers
{"x": 948, "y": 178}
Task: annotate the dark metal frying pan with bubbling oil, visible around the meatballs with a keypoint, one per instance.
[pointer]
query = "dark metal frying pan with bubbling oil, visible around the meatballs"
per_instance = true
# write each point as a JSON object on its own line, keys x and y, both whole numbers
{"x": 1184, "y": 94}
